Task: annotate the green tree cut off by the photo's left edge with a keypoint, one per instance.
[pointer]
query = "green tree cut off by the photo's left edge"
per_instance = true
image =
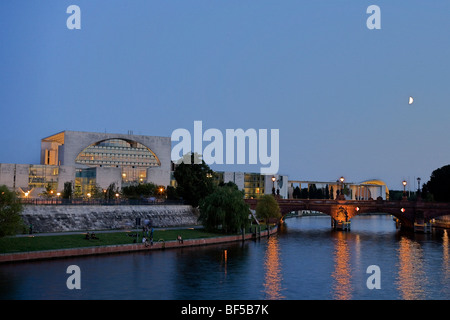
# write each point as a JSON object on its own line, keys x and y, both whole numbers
{"x": 10, "y": 209}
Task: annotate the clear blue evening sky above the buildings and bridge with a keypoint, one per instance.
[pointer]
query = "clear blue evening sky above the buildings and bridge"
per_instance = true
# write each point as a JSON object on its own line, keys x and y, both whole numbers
{"x": 337, "y": 91}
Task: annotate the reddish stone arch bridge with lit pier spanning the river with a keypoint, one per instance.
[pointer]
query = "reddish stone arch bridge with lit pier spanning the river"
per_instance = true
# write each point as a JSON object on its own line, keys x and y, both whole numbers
{"x": 414, "y": 215}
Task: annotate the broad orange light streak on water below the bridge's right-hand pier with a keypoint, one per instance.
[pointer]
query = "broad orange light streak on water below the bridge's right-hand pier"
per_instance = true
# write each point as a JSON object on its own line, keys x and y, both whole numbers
{"x": 411, "y": 278}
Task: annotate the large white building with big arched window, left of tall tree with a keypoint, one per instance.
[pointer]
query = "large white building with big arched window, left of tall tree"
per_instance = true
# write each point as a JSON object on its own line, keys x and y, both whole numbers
{"x": 92, "y": 160}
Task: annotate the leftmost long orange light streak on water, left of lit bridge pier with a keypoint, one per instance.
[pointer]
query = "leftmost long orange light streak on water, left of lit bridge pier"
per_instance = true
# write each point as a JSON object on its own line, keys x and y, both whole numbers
{"x": 273, "y": 278}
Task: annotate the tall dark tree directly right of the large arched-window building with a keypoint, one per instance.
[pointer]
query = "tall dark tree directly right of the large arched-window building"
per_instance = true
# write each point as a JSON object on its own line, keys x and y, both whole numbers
{"x": 194, "y": 181}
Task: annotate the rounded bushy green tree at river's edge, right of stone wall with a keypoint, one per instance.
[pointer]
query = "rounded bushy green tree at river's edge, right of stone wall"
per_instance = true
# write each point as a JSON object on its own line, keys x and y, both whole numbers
{"x": 224, "y": 208}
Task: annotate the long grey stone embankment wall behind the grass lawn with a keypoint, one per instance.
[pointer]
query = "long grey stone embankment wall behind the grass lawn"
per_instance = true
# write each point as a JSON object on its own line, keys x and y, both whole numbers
{"x": 58, "y": 218}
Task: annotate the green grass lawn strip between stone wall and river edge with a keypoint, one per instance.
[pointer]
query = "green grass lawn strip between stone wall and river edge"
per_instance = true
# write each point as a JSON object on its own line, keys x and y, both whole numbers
{"x": 54, "y": 242}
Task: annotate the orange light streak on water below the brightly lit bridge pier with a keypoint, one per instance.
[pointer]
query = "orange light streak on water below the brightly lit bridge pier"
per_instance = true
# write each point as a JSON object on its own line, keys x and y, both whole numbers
{"x": 342, "y": 287}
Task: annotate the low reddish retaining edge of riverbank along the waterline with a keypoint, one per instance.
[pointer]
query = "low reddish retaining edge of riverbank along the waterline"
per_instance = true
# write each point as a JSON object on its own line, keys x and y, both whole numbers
{"x": 159, "y": 244}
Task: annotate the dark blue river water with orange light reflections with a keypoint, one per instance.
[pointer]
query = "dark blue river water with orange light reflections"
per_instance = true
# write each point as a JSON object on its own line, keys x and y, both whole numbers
{"x": 305, "y": 260}
